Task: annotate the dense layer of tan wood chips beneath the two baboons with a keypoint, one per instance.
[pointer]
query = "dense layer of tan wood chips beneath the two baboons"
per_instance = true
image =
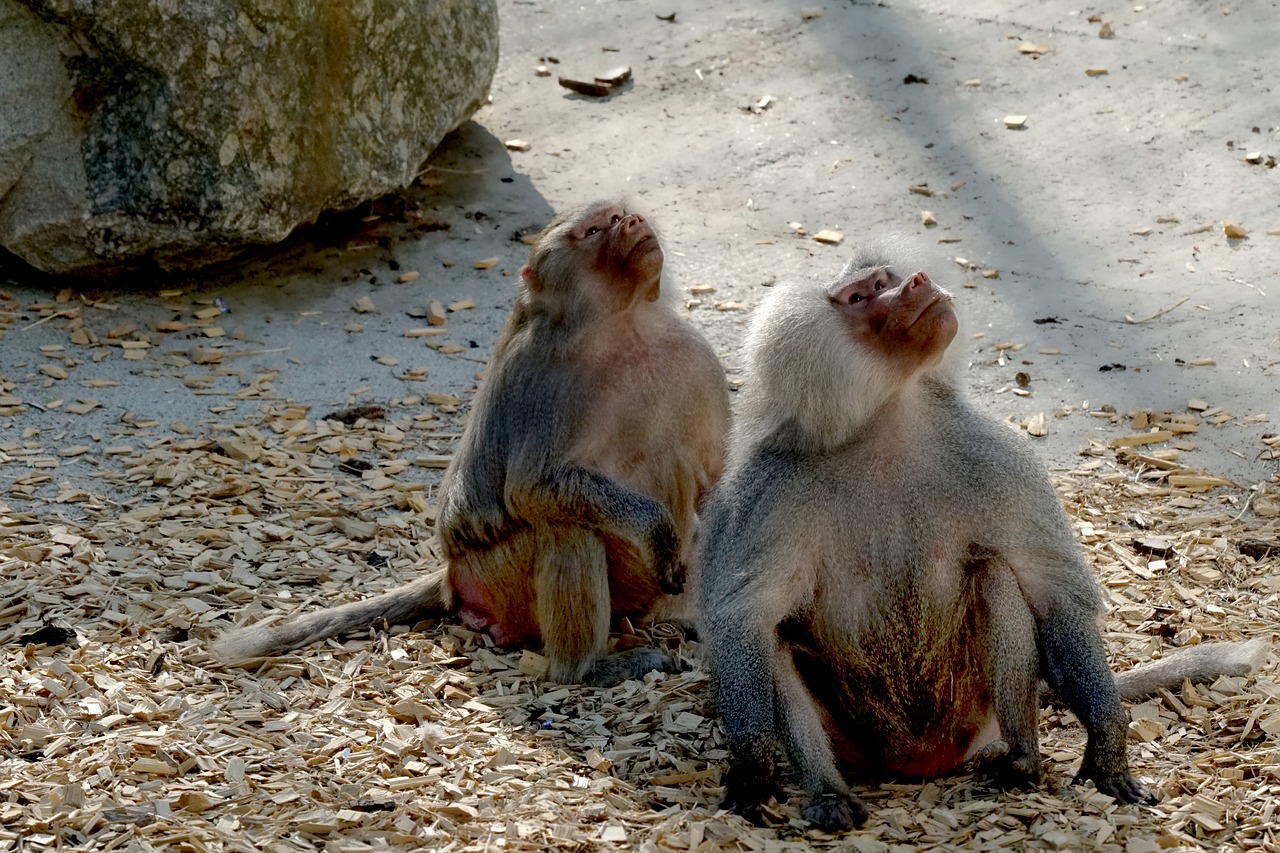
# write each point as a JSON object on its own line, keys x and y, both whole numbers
{"x": 118, "y": 732}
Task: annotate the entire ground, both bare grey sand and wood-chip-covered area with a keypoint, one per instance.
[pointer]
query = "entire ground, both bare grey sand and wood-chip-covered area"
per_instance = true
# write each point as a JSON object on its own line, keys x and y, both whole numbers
{"x": 167, "y": 466}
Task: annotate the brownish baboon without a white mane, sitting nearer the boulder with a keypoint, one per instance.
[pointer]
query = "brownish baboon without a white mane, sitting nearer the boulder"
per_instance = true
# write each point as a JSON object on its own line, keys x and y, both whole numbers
{"x": 574, "y": 495}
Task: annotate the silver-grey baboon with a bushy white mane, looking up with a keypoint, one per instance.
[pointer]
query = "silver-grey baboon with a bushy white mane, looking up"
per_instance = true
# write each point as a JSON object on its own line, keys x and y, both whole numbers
{"x": 886, "y": 576}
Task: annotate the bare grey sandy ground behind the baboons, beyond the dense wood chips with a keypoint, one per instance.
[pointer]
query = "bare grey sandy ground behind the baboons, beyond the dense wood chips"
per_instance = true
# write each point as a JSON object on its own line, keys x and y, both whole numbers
{"x": 1087, "y": 248}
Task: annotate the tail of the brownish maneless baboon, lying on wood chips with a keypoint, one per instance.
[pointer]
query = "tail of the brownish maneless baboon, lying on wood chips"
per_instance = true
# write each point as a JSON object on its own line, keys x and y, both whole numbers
{"x": 431, "y": 594}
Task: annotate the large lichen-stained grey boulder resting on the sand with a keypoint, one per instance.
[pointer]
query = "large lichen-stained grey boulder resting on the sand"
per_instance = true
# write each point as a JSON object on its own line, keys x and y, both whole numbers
{"x": 182, "y": 133}
